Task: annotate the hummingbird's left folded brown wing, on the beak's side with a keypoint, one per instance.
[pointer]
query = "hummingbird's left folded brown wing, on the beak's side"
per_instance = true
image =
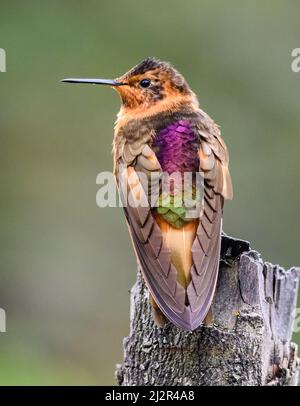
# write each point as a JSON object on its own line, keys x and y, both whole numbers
{"x": 153, "y": 256}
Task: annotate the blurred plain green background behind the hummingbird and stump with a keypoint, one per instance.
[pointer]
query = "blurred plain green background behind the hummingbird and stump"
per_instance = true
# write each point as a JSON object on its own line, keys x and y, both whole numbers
{"x": 66, "y": 265}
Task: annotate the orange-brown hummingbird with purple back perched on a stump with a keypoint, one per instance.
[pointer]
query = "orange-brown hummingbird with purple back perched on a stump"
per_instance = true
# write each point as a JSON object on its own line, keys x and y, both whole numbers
{"x": 161, "y": 129}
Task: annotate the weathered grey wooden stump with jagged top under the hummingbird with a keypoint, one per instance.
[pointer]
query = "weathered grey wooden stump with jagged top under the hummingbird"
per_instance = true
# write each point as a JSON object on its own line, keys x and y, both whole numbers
{"x": 249, "y": 342}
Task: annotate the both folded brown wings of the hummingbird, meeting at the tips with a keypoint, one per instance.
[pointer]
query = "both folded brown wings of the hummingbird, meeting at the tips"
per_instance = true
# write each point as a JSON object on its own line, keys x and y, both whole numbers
{"x": 186, "y": 308}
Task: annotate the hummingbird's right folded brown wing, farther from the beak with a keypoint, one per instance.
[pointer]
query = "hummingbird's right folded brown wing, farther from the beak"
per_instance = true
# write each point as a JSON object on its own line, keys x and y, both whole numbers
{"x": 206, "y": 247}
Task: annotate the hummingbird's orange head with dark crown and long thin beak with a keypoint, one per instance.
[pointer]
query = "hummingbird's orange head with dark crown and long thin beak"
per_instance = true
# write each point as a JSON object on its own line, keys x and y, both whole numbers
{"x": 152, "y": 85}
